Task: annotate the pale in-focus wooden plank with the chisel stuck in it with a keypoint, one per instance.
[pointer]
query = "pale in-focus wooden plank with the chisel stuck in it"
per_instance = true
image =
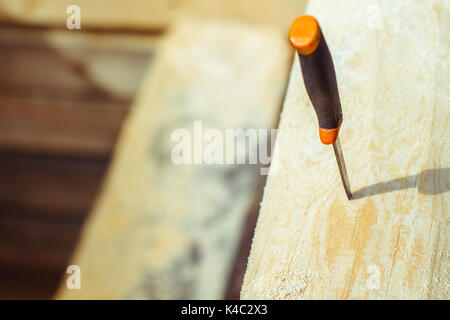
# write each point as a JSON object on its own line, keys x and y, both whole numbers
{"x": 391, "y": 241}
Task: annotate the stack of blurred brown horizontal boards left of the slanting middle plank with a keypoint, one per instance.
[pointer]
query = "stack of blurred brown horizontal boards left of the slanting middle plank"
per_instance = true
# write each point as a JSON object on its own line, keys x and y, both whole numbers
{"x": 58, "y": 126}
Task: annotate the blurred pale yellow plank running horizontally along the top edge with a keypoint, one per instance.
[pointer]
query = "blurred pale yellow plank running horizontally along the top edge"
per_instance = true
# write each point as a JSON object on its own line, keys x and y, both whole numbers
{"x": 145, "y": 15}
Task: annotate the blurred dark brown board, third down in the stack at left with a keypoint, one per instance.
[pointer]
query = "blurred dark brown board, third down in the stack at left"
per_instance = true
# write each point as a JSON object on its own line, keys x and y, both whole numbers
{"x": 49, "y": 184}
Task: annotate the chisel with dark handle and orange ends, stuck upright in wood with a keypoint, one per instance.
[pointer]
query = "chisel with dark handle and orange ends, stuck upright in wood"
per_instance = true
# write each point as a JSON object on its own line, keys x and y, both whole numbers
{"x": 319, "y": 77}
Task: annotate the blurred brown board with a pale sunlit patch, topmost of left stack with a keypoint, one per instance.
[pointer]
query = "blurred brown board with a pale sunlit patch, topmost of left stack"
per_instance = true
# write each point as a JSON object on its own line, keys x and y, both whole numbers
{"x": 75, "y": 60}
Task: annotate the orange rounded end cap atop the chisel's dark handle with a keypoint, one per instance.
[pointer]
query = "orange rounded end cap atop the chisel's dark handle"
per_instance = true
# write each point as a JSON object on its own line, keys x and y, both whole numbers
{"x": 305, "y": 34}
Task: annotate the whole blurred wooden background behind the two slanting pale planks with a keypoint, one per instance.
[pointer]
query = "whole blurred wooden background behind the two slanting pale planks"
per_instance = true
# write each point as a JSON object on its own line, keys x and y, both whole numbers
{"x": 63, "y": 97}
